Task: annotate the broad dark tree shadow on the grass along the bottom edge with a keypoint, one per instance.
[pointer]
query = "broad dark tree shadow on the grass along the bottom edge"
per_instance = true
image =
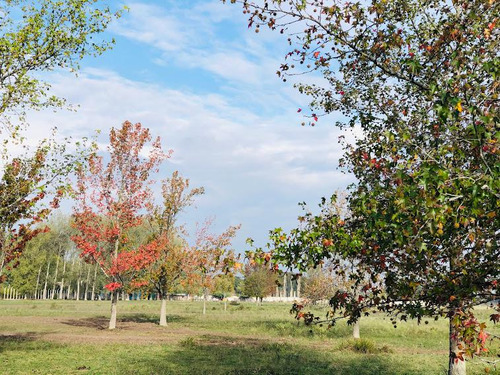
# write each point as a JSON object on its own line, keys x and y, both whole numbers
{"x": 214, "y": 355}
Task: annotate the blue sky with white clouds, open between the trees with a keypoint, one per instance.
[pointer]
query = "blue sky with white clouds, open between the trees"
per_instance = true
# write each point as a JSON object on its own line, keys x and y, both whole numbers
{"x": 196, "y": 75}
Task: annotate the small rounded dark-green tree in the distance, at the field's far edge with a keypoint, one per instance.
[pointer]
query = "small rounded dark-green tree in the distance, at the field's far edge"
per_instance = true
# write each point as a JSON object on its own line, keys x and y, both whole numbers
{"x": 259, "y": 281}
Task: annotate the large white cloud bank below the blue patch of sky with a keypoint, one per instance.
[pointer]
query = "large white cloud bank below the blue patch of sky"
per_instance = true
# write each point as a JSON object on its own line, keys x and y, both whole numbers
{"x": 254, "y": 169}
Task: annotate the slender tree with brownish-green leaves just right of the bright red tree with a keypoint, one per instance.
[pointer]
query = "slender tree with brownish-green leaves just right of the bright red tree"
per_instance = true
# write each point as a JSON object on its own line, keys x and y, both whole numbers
{"x": 175, "y": 257}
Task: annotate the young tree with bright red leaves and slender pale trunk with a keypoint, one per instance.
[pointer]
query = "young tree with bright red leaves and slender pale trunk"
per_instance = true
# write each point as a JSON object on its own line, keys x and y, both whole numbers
{"x": 111, "y": 201}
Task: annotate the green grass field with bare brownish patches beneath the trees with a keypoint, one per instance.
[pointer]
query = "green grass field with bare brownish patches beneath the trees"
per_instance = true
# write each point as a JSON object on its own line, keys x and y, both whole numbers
{"x": 70, "y": 337}
